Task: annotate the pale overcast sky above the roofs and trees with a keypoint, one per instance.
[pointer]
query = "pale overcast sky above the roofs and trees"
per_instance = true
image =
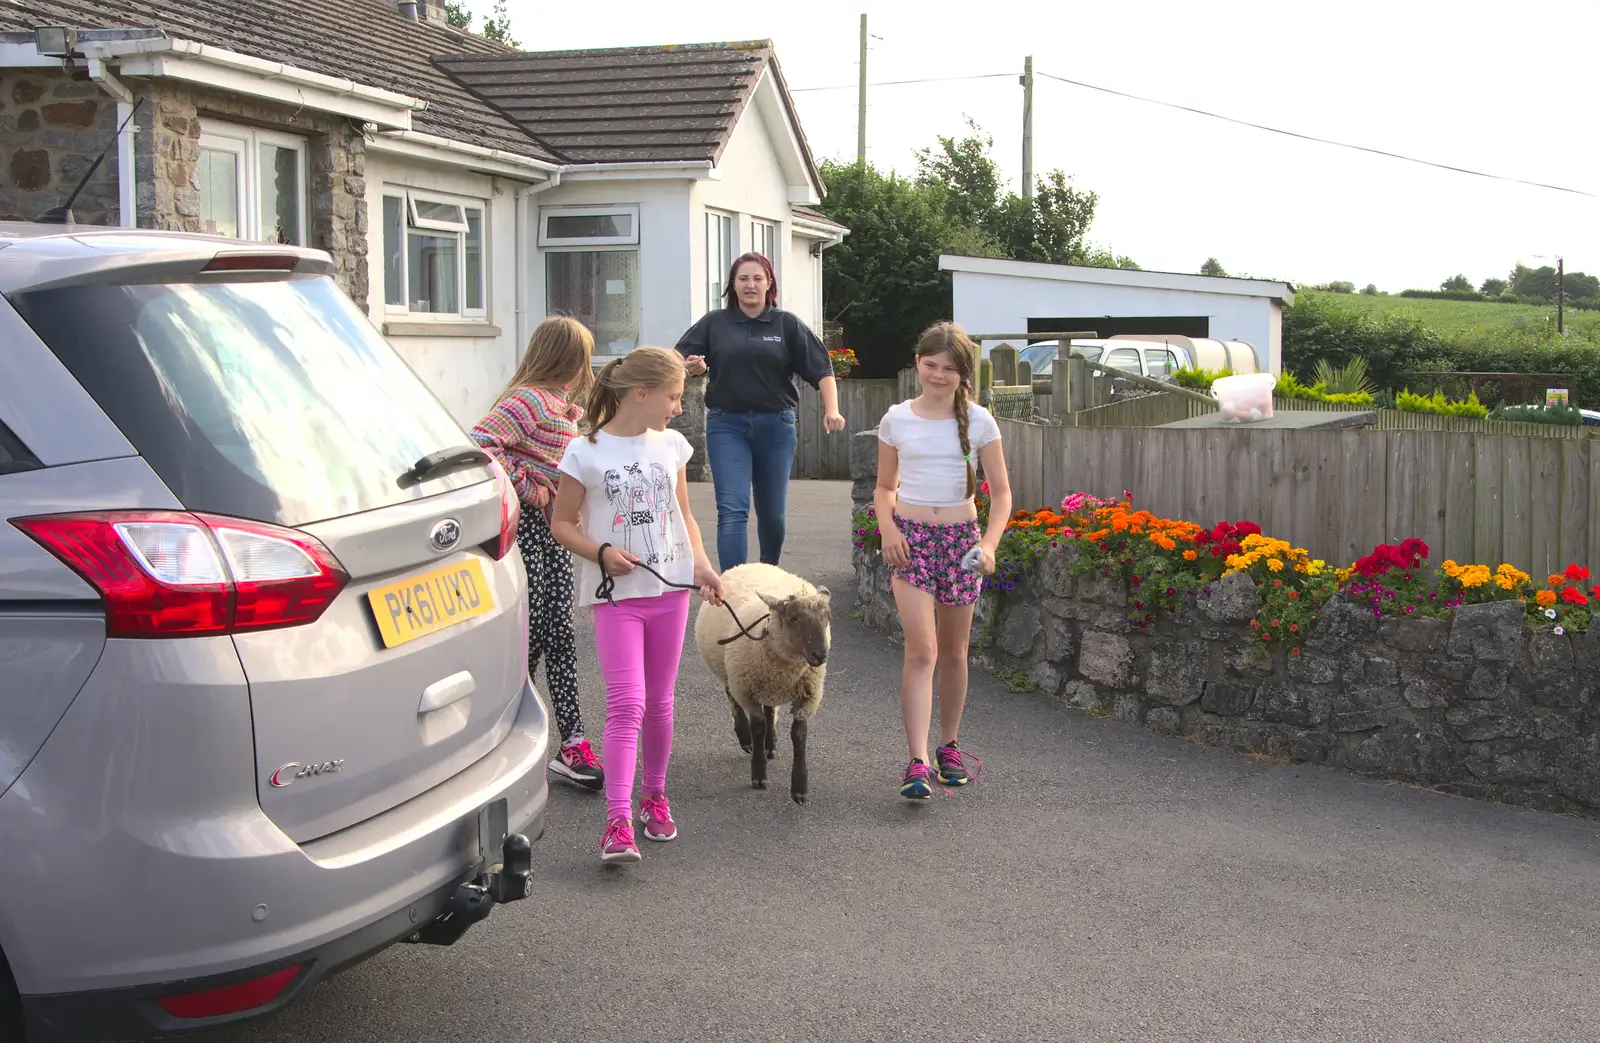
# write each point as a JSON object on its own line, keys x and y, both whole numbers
{"x": 1492, "y": 87}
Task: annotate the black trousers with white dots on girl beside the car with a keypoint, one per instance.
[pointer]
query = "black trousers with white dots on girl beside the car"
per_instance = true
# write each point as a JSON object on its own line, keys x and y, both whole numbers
{"x": 551, "y": 617}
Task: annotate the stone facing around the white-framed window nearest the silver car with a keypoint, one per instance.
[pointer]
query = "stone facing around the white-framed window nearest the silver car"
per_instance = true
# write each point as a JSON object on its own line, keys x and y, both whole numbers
{"x": 169, "y": 156}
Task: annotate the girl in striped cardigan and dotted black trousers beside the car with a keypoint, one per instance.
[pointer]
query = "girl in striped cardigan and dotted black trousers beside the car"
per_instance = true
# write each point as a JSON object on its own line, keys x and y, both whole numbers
{"x": 527, "y": 433}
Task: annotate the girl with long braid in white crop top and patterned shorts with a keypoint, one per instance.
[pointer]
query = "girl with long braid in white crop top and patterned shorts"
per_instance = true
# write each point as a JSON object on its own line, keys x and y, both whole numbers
{"x": 929, "y": 522}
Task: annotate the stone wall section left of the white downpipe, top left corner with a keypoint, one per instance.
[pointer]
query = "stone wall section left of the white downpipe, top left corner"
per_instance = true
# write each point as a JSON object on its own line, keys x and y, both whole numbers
{"x": 52, "y": 127}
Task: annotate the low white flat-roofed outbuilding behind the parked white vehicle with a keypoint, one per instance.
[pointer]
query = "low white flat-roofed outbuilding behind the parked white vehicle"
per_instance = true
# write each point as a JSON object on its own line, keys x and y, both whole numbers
{"x": 1025, "y": 297}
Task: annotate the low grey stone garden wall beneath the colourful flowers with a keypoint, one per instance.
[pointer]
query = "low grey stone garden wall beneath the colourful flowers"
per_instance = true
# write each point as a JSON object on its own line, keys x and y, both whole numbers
{"x": 1479, "y": 705}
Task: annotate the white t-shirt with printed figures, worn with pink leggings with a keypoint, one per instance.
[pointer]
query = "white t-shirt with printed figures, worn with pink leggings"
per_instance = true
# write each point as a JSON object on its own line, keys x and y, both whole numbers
{"x": 631, "y": 502}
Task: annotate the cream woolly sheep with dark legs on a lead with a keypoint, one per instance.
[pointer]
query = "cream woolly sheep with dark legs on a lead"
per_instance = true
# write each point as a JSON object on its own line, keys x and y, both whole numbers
{"x": 786, "y": 668}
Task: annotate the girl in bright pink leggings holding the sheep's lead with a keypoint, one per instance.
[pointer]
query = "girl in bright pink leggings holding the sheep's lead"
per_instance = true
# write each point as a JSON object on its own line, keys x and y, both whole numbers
{"x": 623, "y": 505}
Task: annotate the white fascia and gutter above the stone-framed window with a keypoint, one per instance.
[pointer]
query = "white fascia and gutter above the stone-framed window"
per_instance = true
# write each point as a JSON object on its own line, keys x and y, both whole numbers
{"x": 257, "y": 78}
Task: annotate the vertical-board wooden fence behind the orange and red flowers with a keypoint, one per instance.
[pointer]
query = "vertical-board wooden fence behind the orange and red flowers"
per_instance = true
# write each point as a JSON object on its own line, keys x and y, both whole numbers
{"x": 1479, "y": 498}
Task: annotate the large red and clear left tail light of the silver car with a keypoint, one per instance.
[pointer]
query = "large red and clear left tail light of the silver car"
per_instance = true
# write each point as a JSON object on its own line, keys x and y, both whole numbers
{"x": 182, "y": 575}
